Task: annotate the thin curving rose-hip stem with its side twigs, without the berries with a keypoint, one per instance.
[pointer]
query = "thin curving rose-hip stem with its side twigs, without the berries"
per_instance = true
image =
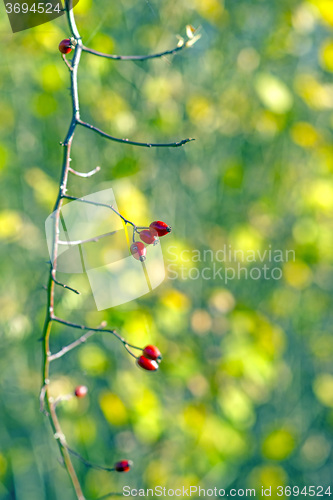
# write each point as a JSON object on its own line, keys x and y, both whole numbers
{"x": 48, "y": 405}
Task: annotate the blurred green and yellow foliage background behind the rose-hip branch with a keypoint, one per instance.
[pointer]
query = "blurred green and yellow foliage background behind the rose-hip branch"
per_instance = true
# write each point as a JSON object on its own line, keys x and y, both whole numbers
{"x": 244, "y": 395}
